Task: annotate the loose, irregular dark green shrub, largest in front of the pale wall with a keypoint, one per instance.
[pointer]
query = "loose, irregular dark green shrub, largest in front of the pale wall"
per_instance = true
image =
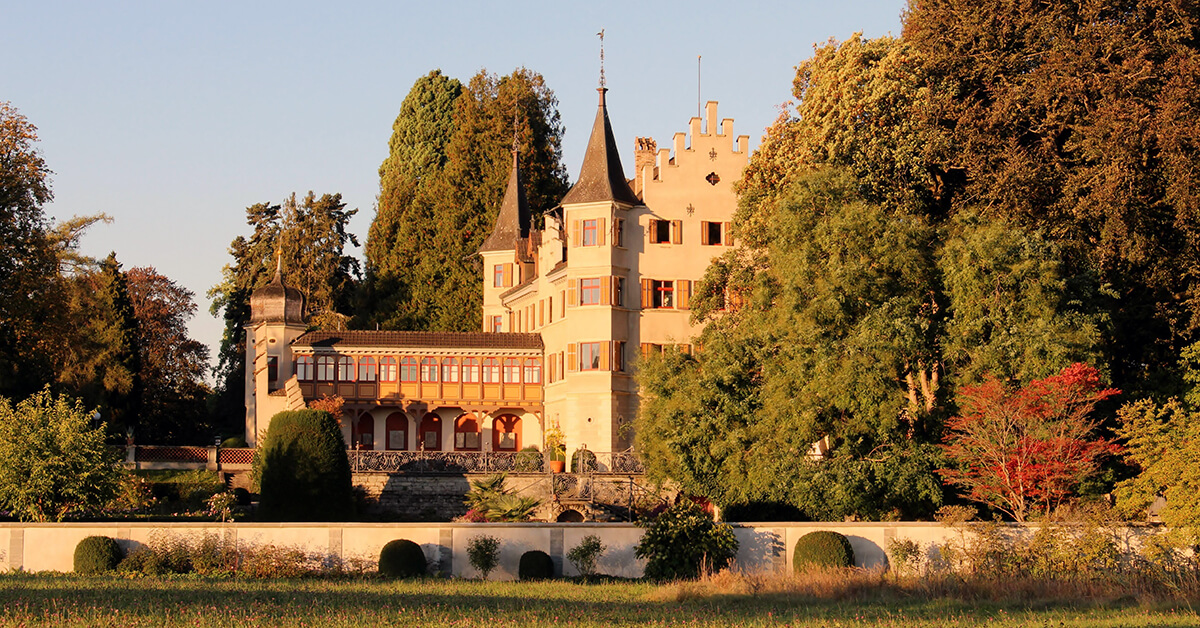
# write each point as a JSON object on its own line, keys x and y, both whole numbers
{"x": 683, "y": 541}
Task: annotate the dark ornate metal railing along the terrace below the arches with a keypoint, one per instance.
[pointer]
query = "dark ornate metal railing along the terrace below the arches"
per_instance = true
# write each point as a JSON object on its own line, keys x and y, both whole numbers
{"x": 617, "y": 463}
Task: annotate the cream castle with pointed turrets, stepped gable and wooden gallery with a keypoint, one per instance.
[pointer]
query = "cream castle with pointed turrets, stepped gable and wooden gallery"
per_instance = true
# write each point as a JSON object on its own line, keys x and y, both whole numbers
{"x": 567, "y": 312}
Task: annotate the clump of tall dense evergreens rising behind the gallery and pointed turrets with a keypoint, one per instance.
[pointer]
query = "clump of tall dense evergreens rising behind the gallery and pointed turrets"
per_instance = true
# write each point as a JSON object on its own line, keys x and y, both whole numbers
{"x": 441, "y": 190}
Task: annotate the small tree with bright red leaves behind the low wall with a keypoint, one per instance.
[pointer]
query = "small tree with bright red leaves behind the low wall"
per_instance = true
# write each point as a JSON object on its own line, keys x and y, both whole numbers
{"x": 1025, "y": 451}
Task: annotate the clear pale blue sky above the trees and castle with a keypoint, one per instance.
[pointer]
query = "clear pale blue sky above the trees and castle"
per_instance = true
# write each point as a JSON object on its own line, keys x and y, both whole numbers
{"x": 175, "y": 117}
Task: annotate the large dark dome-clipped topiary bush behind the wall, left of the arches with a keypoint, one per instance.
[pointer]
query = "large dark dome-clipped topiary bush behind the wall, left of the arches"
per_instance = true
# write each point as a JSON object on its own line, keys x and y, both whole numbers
{"x": 303, "y": 471}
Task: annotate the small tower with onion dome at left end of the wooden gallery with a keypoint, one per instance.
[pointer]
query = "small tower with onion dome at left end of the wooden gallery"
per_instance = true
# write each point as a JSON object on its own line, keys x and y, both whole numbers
{"x": 277, "y": 319}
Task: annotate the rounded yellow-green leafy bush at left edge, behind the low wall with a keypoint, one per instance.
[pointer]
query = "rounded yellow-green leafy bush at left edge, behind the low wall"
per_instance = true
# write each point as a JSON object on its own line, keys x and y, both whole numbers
{"x": 53, "y": 462}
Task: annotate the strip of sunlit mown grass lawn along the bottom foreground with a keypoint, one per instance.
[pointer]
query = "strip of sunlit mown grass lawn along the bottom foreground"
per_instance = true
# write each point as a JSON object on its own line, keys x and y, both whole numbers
{"x": 68, "y": 601}
